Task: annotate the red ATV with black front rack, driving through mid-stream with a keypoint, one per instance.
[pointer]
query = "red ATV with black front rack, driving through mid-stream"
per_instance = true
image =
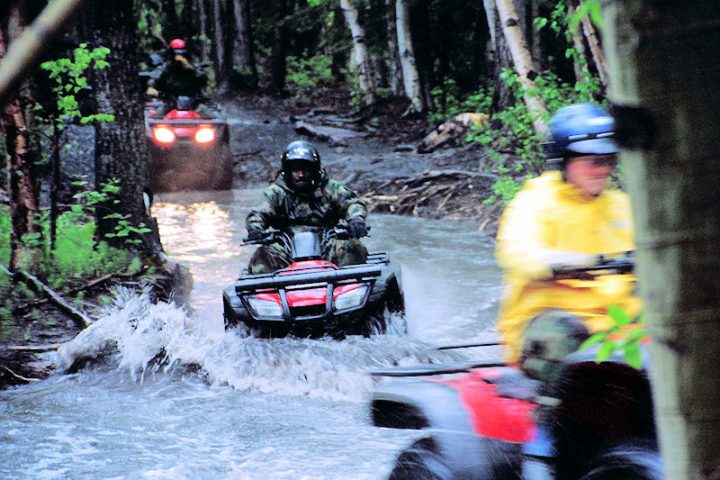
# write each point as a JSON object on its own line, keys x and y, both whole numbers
{"x": 313, "y": 297}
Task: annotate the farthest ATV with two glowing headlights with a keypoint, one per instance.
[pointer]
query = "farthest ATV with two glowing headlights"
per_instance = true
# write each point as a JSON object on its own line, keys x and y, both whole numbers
{"x": 187, "y": 152}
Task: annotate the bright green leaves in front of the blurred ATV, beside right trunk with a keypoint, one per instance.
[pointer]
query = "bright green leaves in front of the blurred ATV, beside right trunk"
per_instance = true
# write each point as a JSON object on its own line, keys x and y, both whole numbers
{"x": 625, "y": 336}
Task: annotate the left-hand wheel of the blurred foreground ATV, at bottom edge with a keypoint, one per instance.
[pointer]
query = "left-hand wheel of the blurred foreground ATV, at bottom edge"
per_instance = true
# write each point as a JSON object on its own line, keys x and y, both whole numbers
{"x": 421, "y": 461}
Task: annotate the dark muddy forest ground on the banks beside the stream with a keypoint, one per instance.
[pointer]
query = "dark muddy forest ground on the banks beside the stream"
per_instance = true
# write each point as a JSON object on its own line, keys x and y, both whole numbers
{"x": 373, "y": 150}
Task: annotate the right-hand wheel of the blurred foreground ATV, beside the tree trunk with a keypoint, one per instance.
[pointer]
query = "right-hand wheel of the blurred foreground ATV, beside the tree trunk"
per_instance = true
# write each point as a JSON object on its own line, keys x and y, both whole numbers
{"x": 637, "y": 460}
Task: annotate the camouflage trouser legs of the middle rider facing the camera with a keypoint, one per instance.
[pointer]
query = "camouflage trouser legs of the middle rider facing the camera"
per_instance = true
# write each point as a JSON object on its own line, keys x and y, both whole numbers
{"x": 269, "y": 258}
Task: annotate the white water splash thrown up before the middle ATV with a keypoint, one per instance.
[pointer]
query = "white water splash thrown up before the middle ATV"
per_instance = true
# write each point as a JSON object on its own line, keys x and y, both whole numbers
{"x": 143, "y": 338}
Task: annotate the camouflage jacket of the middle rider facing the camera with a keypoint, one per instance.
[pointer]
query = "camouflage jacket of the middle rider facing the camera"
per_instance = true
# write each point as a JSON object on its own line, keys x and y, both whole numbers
{"x": 282, "y": 207}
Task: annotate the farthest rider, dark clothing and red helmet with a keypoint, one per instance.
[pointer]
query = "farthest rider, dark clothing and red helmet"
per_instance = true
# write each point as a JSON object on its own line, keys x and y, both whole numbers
{"x": 178, "y": 77}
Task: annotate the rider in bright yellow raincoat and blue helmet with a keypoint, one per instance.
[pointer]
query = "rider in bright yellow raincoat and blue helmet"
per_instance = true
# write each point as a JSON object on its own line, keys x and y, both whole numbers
{"x": 565, "y": 217}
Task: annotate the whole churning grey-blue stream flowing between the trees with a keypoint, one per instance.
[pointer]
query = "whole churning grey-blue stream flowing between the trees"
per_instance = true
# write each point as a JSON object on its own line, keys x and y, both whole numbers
{"x": 168, "y": 394}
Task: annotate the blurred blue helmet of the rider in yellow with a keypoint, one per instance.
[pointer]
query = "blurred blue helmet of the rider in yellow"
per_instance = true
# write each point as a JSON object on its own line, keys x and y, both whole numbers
{"x": 581, "y": 129}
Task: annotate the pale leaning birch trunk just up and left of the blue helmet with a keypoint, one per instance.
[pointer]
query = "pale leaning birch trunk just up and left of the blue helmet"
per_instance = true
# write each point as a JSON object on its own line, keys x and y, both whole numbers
{"x": 523, "y": 63}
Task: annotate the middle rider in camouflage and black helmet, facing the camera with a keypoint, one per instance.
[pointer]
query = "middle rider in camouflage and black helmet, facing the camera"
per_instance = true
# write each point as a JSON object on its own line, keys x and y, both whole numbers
{"x": 302, "y": 194}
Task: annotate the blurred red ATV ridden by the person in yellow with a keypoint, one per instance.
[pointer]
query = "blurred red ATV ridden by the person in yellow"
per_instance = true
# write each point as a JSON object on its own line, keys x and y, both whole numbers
{"x": 488, "y": 420}
